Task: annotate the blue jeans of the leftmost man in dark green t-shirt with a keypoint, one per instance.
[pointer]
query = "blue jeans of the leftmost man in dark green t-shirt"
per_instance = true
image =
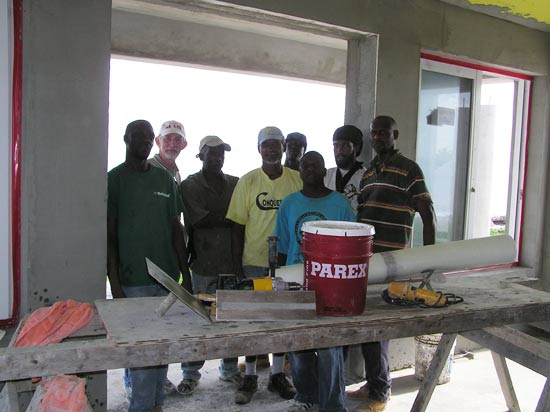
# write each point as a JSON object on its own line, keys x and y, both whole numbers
{"x": 147, "y": 383}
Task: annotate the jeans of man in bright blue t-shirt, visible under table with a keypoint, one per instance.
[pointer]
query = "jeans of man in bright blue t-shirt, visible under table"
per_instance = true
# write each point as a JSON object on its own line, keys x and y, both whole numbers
{"x": 318, "y": 375}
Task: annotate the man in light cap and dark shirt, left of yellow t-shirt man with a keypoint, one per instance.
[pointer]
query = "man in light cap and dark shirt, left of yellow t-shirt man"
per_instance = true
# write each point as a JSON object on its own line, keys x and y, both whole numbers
{"x": 206, "y": 196}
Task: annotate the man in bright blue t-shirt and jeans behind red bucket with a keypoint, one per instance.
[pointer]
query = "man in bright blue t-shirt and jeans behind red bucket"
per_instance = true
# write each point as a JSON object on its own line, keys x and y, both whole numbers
{"x": 318, "y": 374}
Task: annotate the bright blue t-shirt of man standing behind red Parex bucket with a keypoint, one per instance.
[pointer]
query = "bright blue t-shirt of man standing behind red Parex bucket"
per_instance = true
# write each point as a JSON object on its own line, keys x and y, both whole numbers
{"x": 297, "y": 209}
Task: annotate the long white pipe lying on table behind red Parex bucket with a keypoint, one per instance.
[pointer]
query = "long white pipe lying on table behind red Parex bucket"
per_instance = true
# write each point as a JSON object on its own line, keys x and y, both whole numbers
{"x": 462, "y": 254}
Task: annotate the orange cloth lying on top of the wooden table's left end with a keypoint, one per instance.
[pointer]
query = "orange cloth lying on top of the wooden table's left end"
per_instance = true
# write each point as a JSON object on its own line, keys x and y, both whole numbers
{"x": 53, "y": 324}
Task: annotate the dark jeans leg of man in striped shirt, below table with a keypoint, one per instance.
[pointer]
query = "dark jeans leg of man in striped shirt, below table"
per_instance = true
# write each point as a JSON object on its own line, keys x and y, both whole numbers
{"x": 377, "y": 369}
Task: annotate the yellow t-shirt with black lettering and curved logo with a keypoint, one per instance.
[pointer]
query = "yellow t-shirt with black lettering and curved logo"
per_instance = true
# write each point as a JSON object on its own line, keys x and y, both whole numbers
{"x": 254, "y": 204}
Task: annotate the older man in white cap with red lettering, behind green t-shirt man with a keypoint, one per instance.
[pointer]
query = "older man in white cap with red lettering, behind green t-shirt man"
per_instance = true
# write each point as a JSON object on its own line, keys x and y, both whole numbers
{"x": 171, "y": 141}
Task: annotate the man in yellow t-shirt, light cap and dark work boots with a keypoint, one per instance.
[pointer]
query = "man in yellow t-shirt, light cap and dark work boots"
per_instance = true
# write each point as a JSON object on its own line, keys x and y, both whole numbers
{"x": 253, "y": 208}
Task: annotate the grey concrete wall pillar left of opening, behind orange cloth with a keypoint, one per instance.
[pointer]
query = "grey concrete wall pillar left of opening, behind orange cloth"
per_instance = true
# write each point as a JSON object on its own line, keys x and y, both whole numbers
{"x": 66, "y": 48}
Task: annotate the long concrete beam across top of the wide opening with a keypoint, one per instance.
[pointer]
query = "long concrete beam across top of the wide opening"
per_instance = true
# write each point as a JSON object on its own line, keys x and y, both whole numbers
{"x": 182, "y": 41}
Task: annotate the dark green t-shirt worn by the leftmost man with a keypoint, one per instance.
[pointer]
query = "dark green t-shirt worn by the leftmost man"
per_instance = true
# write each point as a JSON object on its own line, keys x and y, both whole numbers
{"x": 145, "y": 205}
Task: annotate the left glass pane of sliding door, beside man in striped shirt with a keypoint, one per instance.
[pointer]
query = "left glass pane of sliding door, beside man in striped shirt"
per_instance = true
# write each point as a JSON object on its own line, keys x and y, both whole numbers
{"x": 442, "y": 150}
